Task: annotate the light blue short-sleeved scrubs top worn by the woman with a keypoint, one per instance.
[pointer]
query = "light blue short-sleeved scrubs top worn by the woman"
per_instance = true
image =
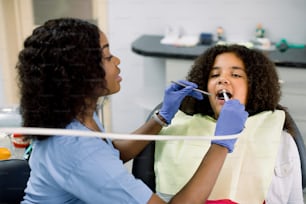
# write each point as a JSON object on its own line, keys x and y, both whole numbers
{"x": 66, "y": 169}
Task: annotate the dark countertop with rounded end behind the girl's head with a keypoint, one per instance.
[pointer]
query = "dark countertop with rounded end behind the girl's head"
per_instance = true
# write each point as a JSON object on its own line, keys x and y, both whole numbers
{"x": 149, "y": 45}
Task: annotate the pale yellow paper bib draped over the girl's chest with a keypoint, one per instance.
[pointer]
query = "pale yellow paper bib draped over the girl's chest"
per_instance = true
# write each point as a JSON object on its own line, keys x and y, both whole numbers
{"x": 246, "y": 173}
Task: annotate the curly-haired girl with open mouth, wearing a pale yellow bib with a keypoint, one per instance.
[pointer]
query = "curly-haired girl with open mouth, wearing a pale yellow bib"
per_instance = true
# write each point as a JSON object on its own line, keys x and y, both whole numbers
{"x": 265, "y": 165}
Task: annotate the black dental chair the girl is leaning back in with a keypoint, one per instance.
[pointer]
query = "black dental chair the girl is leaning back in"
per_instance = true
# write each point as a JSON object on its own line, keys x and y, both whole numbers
{"x": 143, "y": 164}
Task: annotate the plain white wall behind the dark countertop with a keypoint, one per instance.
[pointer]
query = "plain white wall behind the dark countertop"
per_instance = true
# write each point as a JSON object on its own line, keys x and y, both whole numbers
{"x": 128, "y": 19}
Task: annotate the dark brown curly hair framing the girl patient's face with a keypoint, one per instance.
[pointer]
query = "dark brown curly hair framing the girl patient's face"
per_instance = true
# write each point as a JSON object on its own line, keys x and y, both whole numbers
{"x": 263, "y": 82}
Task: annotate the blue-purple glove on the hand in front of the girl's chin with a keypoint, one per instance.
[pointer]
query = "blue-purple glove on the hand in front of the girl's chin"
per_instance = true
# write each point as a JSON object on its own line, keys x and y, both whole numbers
{"x": 231, "y": 121}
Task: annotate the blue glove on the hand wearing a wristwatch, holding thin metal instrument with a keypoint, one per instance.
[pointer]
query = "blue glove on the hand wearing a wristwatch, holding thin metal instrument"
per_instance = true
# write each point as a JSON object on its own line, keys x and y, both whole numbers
{"x": 174, "y": 94}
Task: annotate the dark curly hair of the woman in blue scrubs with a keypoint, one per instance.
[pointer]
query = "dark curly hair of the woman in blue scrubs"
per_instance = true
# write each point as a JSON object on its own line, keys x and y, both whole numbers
{"x": 59, "y": 66}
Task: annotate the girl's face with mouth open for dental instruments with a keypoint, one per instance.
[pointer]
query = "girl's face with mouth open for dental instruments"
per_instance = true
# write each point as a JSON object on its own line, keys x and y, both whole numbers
{"x": 228, "y": 73}
